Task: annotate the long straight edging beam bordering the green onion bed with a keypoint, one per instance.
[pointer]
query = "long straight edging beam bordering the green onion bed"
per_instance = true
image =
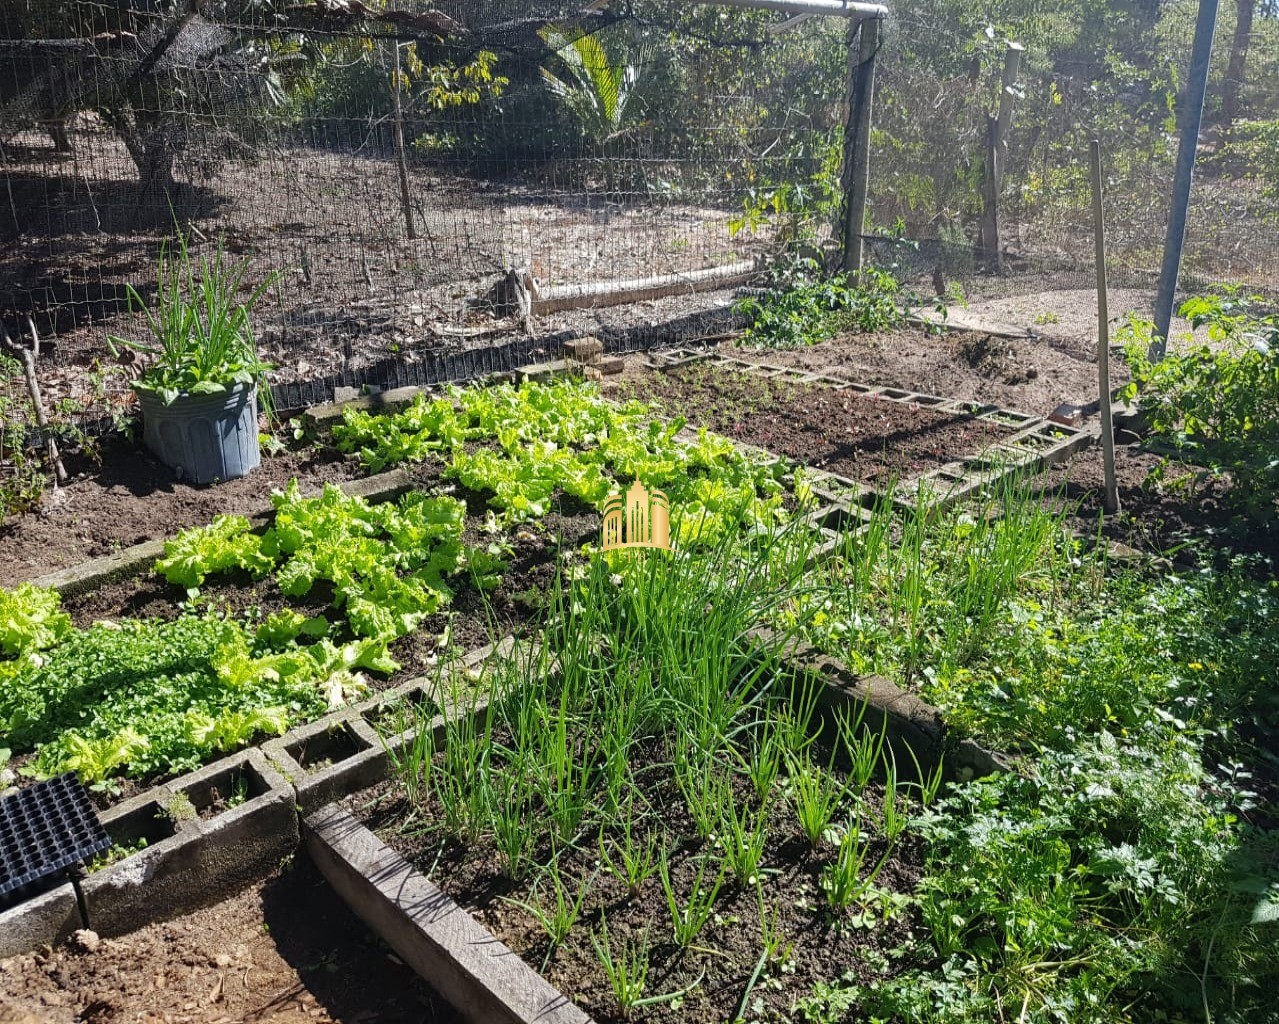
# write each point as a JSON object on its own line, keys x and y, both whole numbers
{"x": 467, "y": 965}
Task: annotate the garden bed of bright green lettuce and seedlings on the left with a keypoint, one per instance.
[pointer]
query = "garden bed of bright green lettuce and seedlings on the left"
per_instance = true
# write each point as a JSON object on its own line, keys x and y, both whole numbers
{"x": 242, "y": 635}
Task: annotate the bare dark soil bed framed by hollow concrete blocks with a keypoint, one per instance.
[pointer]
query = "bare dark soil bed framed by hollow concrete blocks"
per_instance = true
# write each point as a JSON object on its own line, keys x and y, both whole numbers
{"x": 864, "y": 439}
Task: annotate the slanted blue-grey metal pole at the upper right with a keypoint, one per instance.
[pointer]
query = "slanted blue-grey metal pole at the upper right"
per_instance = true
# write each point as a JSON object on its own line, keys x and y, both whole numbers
{"x": 1188, "y": 150}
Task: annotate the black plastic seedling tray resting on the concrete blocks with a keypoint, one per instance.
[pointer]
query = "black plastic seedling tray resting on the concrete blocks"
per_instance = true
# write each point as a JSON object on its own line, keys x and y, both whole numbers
{"x": 44, "y": 830}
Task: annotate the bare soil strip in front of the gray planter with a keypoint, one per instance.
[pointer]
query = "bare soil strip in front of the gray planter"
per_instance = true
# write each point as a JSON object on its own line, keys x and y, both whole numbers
{"x": 129, "y": 498}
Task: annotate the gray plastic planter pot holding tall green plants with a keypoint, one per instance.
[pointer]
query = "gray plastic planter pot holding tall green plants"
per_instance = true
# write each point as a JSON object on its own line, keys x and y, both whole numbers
{"x": 205, "y": 438}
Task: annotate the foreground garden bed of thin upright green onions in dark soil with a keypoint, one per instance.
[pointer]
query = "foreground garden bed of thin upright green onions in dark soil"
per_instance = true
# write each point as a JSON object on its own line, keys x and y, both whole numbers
{"x": 657, "y": 812}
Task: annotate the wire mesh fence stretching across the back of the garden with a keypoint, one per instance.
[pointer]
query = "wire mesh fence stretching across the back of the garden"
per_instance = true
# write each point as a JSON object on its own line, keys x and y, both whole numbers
{"x": 416, "y": 177}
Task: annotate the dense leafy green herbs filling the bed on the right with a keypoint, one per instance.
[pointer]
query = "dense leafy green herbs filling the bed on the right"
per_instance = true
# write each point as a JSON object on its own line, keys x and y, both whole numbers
{"x": 1125, "y": 870}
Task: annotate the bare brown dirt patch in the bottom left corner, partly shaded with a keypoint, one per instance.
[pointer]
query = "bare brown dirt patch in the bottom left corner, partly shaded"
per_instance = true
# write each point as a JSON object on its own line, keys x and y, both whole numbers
{"x": 286, "y": 952}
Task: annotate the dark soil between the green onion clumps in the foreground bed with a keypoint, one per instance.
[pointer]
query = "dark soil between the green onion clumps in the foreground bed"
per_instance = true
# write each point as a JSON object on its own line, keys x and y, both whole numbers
{"x": 718, "y": 966}
